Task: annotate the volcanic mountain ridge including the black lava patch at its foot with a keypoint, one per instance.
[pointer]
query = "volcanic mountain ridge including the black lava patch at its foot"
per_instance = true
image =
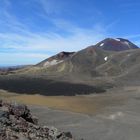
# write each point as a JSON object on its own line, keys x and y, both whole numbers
{"x": 110, "y": 63}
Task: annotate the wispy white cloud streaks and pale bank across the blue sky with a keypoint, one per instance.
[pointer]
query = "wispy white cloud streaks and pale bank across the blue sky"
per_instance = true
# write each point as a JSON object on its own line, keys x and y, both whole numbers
{"x": 32, "y": 47}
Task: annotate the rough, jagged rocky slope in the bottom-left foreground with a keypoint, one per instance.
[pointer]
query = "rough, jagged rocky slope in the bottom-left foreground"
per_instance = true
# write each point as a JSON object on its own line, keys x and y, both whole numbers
{"x": 17, "y": 123}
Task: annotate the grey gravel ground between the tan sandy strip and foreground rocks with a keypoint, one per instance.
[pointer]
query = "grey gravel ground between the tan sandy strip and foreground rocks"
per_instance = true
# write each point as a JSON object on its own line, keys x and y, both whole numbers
{"x": 120, "y": 122}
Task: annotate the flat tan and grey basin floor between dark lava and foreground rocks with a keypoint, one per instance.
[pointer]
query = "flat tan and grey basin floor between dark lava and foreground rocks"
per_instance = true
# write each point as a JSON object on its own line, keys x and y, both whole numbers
{"x": 114, "y": 115}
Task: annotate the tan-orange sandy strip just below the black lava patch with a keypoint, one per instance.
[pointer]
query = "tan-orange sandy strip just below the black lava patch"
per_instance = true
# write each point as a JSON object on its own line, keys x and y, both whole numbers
{"x": 90, "y": 105}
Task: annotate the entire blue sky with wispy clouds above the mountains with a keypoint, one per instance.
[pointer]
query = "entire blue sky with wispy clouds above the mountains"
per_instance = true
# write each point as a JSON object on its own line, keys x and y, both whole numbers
{"x": 32, "y": 30}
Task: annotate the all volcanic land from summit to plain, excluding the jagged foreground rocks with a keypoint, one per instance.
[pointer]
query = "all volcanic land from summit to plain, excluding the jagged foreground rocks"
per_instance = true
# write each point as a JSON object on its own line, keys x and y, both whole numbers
{"x": 94, "y": 93}
